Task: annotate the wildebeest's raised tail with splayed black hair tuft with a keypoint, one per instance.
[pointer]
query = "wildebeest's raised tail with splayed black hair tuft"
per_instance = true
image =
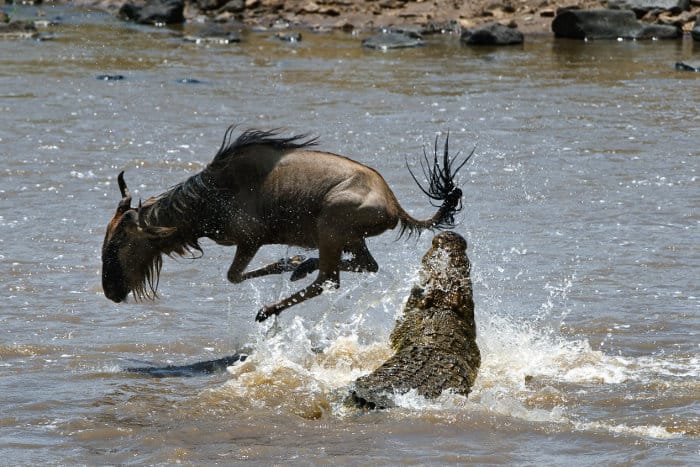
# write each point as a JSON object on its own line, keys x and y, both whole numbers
{"x": 440, "y": 188}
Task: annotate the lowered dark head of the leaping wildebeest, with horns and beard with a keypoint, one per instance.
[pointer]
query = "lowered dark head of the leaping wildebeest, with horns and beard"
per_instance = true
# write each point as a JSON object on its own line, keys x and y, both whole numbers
{"x": 131, "y": 257}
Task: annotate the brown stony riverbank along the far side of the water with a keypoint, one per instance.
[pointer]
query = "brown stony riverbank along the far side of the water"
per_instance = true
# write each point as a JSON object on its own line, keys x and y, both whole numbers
{"x": 529, "y": 16}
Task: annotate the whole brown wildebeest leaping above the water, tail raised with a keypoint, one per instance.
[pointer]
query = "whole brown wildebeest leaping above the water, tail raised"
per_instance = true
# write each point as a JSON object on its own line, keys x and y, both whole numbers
{"x": 263, "y": 188}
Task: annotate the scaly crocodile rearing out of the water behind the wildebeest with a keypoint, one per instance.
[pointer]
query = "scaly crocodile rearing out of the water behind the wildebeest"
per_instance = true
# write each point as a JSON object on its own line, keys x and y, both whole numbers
{"x": 435, "y": 339}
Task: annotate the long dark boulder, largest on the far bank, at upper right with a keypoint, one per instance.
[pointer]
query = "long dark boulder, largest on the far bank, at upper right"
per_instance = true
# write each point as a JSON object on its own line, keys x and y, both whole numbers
{"x": 608, "y": 24}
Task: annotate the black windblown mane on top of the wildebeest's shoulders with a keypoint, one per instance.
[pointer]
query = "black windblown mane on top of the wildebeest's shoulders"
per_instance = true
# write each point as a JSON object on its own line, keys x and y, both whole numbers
{"x": 231, "y": 148}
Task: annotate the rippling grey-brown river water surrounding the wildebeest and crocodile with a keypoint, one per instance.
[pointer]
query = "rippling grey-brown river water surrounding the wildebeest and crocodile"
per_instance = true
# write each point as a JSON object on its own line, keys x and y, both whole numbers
{"x": 581, "y": 209}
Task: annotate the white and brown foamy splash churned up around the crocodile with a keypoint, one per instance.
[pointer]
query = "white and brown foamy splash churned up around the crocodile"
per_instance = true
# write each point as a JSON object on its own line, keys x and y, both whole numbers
{"x": 529, "y": 372}
